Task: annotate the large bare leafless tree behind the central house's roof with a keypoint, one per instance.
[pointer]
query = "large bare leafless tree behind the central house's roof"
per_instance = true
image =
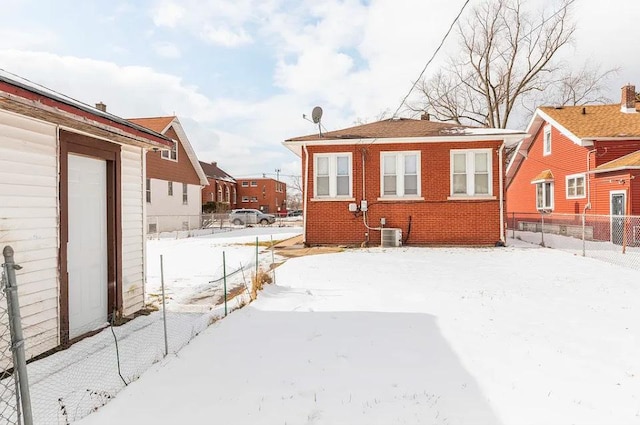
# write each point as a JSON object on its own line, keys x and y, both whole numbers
{"x": 506, "y": 59}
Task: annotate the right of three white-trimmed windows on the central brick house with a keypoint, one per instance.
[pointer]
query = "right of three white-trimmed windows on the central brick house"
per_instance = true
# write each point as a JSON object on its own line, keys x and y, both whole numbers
{"x": 471, "y": 172}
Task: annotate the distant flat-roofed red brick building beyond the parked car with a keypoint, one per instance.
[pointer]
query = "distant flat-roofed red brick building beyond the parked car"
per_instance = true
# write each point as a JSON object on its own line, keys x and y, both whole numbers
{"x": 265, "y": 194}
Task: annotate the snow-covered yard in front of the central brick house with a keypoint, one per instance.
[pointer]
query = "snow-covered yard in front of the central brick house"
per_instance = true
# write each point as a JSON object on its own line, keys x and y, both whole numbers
{"x": 517, "y": 335}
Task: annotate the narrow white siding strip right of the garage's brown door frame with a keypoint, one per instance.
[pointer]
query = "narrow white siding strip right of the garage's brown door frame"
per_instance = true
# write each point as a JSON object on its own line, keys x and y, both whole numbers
{"x": 133, "y": 238}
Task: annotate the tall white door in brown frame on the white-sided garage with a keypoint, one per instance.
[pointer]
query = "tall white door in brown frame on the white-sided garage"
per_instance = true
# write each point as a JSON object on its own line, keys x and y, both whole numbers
{"x": 87, "y": 248}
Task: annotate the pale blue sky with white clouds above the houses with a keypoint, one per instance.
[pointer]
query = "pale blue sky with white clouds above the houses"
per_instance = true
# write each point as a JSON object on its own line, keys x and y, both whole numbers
{"x": 240, "y": 73}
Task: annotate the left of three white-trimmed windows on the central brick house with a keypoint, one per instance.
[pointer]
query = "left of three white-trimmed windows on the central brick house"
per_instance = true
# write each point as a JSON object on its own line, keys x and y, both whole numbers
{"x": 332, "y": 175}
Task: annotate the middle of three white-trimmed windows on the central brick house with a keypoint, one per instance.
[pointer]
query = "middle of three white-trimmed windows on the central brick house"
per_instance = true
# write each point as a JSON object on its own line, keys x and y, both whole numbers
{"x": 400, "y": 174}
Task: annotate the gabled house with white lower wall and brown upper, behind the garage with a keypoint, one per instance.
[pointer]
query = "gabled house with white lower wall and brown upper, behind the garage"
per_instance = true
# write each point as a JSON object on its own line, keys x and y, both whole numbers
{"x": 174, "y": 179}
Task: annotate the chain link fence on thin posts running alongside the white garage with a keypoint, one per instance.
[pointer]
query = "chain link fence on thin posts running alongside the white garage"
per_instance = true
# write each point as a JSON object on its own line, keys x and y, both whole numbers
{"x": 75, "y": 379}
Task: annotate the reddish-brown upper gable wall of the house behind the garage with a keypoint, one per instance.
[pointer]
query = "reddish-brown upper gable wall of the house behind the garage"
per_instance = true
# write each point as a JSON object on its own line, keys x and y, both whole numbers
{"x": 180, "y": 171}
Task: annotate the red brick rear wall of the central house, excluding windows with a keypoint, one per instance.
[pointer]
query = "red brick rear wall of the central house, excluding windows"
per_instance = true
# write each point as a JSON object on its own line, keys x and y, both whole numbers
{"x": 434, "y": 220}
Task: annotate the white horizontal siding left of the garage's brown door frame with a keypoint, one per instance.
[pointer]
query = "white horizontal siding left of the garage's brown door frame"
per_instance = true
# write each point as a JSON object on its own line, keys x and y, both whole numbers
{"x": 29, "y": 208}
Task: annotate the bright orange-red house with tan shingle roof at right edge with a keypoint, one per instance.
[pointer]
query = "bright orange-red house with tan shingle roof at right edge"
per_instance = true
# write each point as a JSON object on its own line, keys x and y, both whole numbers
{"x": 579, "y": 159}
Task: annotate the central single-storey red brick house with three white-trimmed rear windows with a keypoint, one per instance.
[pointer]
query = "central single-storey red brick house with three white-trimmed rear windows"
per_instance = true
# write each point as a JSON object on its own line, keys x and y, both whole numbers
{"x": 436, "y": 183}
